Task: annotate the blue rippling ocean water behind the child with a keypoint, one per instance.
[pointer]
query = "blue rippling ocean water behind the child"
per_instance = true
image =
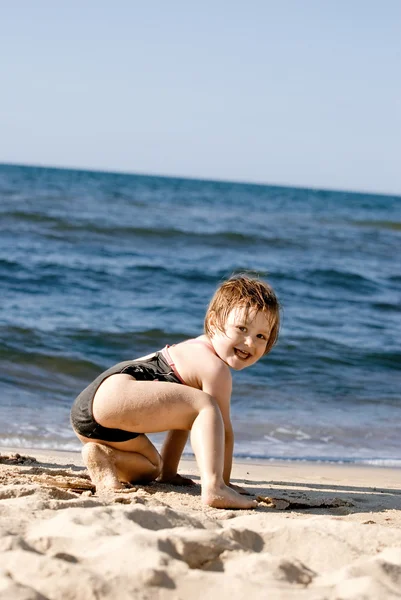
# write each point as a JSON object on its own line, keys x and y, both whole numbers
{"x": 96, "y": 268}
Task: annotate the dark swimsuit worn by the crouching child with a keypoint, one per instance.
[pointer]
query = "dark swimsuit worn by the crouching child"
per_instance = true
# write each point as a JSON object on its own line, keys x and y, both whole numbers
{"x": 158, "y": 367}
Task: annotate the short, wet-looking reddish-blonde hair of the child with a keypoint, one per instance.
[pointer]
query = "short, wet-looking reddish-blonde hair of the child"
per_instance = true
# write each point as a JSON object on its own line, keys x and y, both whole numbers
{"x": 242, "y": 291}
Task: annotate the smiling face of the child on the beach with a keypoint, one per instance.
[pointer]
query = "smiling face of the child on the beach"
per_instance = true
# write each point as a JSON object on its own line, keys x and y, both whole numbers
{"x": 244, "y": 339}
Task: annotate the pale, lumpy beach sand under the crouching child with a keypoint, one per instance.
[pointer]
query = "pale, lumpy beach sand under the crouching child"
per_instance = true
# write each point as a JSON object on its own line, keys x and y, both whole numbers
{"x": 322, "y": 532}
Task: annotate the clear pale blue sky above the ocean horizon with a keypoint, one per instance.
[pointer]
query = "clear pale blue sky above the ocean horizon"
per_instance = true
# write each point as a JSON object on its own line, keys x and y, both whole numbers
{"x": 297, "y": 92}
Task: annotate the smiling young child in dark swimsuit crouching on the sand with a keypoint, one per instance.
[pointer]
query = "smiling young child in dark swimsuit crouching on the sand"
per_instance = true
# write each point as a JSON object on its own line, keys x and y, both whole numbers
{"x": 186, "y": 387}
